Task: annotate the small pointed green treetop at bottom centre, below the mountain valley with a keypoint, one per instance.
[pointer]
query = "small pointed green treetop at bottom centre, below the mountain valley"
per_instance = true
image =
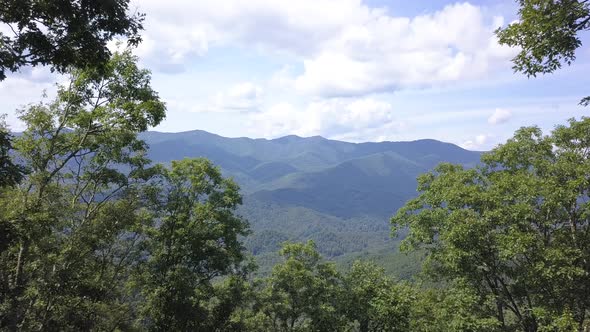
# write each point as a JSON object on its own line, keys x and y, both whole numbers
{"x": 302, "y": 292}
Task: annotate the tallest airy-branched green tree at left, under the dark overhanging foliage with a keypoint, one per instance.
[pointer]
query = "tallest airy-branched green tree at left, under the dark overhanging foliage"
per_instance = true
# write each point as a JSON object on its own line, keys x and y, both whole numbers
{"x": 78, "y": 215}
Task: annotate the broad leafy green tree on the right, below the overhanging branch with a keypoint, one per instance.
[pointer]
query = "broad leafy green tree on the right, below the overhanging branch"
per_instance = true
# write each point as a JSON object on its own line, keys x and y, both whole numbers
{"x": 516, "y": 230}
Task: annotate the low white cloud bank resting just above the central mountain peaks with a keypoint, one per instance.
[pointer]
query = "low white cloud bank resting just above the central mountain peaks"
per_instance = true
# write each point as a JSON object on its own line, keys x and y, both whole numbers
{"x": 343, "y": 118}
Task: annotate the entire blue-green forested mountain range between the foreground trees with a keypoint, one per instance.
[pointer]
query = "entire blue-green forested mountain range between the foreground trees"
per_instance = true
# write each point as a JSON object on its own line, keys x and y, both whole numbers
{"x": 339, "y": 194}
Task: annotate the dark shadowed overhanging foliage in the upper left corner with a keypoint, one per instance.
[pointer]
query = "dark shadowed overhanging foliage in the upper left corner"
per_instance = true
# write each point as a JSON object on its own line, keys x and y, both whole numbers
{"x": 63, "y": 33}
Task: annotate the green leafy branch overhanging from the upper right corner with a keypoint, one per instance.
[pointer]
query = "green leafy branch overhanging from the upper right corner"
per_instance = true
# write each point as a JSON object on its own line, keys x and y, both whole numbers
{"x": 548, "y": 34}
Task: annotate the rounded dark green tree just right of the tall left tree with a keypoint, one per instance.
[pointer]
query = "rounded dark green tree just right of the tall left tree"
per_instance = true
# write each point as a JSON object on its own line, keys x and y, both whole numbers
{"x": 195, "y": 243}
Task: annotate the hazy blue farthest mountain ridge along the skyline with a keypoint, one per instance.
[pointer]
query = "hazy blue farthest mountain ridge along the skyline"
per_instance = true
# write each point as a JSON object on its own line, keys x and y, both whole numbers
{"x": 293, "y": 153}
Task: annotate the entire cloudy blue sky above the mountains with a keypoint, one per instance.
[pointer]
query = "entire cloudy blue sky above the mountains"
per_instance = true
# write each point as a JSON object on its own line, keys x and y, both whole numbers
{"x": 352, "y": 70}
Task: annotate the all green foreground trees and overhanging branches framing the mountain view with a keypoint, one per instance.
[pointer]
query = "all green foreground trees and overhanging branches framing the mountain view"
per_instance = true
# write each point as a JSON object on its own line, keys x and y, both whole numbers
{"x": 95, "y": 236}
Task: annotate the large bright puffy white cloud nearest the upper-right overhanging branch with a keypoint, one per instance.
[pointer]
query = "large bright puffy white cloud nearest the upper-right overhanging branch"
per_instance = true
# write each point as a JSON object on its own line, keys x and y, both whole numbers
{"x": 388, "y": 53}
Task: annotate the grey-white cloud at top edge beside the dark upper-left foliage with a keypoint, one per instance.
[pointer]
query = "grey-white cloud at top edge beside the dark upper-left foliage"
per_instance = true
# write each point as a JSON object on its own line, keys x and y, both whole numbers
{"x": 298, "y": 27}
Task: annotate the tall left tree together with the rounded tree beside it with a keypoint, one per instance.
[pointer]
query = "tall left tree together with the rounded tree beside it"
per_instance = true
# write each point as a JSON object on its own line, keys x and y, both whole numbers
{"x": 95, "y": 237}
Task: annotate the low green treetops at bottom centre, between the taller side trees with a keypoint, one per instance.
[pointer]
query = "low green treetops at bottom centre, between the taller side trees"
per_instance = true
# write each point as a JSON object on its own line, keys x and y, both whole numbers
{"x": 304, "y": 293}
